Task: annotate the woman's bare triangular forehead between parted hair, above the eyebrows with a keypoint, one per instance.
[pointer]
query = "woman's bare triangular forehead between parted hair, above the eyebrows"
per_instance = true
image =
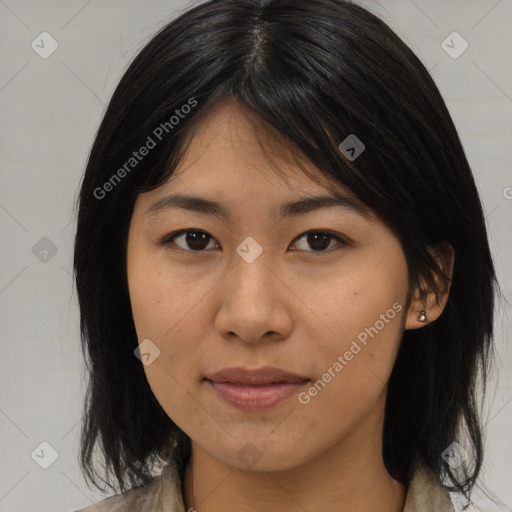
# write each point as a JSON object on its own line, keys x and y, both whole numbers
{"x": 232, "y": 147}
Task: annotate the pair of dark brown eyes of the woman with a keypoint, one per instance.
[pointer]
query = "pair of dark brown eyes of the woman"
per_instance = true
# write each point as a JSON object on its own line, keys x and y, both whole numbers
{"x": 197, "y": 240}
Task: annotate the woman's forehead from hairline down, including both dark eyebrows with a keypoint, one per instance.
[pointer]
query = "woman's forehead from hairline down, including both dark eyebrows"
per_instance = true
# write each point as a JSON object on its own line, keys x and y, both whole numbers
{"x": 235, "y": 161}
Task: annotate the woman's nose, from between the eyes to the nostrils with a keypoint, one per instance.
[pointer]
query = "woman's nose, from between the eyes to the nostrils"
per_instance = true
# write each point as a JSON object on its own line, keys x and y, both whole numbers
{"x": 256, "y": 303}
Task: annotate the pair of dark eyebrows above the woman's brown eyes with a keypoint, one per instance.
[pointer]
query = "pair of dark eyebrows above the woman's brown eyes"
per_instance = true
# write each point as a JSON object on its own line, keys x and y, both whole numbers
{"x": 289, "y": 209}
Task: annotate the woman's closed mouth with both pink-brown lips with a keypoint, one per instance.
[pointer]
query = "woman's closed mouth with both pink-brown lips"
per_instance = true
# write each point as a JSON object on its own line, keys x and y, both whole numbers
{"x": 255, "y": 390}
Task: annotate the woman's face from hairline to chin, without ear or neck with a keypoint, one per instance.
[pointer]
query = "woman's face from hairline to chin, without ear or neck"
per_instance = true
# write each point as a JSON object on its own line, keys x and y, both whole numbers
{"x": 320, "y": 294}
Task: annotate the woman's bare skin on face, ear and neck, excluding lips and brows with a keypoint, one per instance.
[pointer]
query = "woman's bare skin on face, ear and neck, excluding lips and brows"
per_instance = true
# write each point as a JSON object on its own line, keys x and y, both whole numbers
{"x": 295, "y": 309}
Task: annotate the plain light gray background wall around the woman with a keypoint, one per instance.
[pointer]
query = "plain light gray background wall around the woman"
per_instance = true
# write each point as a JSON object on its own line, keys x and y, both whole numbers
{"x": 50, "y": 110}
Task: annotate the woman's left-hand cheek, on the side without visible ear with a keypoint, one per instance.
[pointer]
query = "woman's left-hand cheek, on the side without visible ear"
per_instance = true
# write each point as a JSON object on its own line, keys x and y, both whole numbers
{"x": 166, "y": 305}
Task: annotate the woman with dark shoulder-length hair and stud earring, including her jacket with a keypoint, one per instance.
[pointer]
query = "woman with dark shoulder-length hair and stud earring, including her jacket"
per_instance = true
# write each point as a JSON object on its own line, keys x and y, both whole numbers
{"x": 283, "y": 271}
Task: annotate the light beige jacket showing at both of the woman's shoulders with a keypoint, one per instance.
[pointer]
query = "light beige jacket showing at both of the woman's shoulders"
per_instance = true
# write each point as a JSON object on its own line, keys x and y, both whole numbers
{"x": 164, "y": 494}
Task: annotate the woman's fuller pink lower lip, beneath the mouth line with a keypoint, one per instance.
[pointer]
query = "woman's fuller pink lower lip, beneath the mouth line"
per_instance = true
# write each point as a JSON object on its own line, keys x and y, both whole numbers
{"x": 256, "y": 398}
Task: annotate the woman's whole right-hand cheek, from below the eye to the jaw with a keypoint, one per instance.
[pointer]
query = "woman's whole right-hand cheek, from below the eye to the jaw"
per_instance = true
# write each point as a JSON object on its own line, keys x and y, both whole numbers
{"x": 358, "y": 329}
